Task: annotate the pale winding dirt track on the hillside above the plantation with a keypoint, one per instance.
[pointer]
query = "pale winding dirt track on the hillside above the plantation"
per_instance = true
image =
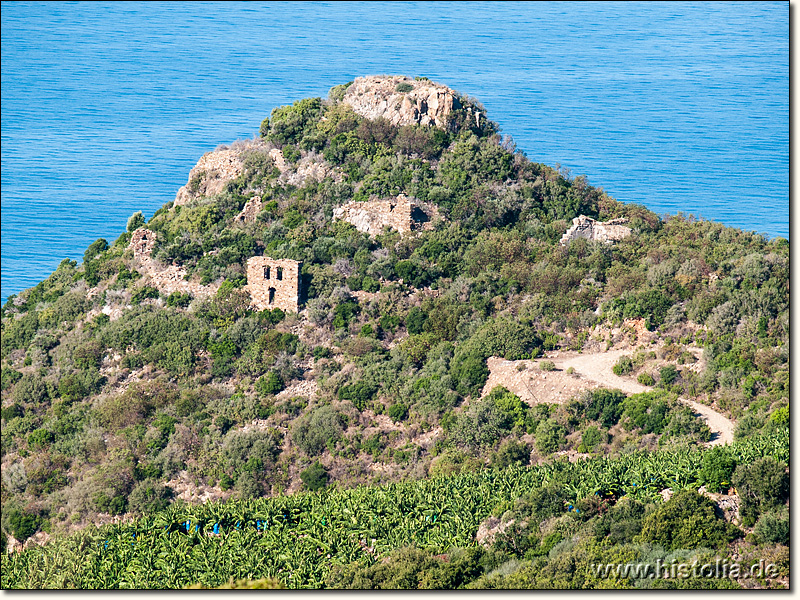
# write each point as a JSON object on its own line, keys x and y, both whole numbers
{"x": 597, "y": 368}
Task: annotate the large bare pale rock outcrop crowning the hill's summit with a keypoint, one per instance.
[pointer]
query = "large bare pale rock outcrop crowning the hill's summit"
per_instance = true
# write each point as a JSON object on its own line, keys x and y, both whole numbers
{"x": 404, "y": 101}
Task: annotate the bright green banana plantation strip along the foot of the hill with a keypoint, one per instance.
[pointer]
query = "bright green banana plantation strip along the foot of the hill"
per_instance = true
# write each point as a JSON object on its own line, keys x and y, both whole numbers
{"x": 297, "y": 539}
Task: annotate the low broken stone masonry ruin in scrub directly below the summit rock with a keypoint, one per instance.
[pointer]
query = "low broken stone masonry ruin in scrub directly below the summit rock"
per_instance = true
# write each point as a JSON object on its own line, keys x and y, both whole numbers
{"x": 400, "y": 213}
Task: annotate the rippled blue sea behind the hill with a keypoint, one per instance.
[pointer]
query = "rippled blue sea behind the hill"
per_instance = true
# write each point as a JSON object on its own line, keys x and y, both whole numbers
{"x": 682, "y": 107}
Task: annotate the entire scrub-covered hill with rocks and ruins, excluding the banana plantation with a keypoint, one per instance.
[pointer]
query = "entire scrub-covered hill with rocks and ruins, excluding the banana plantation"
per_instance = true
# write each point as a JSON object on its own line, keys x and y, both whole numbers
{"x": 380, "y": 287}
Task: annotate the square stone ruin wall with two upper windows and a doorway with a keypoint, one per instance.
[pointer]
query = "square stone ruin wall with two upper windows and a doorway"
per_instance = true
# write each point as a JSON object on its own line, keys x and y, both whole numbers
{"x": 273, "y": 283}
